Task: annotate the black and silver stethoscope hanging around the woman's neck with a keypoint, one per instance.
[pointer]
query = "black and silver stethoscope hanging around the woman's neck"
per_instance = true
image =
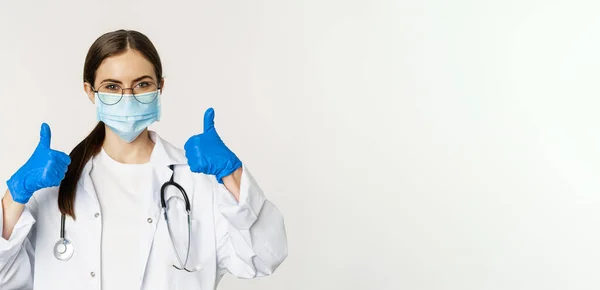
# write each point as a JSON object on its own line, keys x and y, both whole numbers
{"x": 63, "y": 249}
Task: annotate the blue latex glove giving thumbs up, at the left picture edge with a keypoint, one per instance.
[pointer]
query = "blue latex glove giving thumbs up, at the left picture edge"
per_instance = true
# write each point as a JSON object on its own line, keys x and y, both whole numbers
{"x": 45, "y": 168}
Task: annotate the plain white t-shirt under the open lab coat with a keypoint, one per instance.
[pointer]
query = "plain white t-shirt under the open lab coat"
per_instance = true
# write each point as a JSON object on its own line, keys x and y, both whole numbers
{"x": 124, "y": 192}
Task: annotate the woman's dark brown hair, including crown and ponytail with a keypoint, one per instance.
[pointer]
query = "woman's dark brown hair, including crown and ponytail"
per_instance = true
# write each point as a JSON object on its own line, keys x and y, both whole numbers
{"x": 107, "y": 45}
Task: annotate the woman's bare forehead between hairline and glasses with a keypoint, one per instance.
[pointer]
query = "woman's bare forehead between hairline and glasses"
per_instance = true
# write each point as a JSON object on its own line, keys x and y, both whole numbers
{"x": 124, "y": 67}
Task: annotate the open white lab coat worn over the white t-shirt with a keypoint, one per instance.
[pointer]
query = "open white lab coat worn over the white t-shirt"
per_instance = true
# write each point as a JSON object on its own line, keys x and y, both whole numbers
{"x": 246, "y": 239}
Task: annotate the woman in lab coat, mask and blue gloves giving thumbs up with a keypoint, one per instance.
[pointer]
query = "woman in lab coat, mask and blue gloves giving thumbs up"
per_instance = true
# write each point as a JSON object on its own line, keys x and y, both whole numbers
{"x": 105, "y": 225}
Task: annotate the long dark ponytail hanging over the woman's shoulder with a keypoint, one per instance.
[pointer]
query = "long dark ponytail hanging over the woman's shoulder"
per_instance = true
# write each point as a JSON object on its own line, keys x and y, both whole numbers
{"x": 81, "y": 154}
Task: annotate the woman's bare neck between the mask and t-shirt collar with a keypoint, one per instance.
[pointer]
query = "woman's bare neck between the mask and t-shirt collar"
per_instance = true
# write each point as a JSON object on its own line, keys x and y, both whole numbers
{"x": 136, "y": 152}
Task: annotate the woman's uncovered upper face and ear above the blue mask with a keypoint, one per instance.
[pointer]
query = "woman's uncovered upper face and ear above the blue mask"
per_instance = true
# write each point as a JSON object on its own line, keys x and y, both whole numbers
{"x": 126, "y": 70}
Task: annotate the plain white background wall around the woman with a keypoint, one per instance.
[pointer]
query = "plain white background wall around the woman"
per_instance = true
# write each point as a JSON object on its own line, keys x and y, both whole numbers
{"x": 409, "y": 144}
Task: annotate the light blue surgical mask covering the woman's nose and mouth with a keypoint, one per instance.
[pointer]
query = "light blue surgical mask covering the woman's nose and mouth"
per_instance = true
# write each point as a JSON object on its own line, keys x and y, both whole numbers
{"x": 128, "y": 118}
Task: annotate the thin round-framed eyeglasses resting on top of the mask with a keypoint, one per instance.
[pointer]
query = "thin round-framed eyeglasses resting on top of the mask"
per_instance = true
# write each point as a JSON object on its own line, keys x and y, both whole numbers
{"x": 110, "y": 93}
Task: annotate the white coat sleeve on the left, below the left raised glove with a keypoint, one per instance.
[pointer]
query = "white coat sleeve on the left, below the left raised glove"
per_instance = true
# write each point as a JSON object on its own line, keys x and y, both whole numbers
{"x": 17, "y": 253}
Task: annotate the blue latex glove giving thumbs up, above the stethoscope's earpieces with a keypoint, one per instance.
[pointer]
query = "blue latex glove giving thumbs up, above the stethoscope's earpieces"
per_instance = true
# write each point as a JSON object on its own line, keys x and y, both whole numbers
{"x": 206, "y": 153}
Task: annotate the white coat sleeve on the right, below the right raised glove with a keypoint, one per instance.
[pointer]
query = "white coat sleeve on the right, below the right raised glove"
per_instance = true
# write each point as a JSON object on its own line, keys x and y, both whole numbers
{"x": 250, "y": 234}
